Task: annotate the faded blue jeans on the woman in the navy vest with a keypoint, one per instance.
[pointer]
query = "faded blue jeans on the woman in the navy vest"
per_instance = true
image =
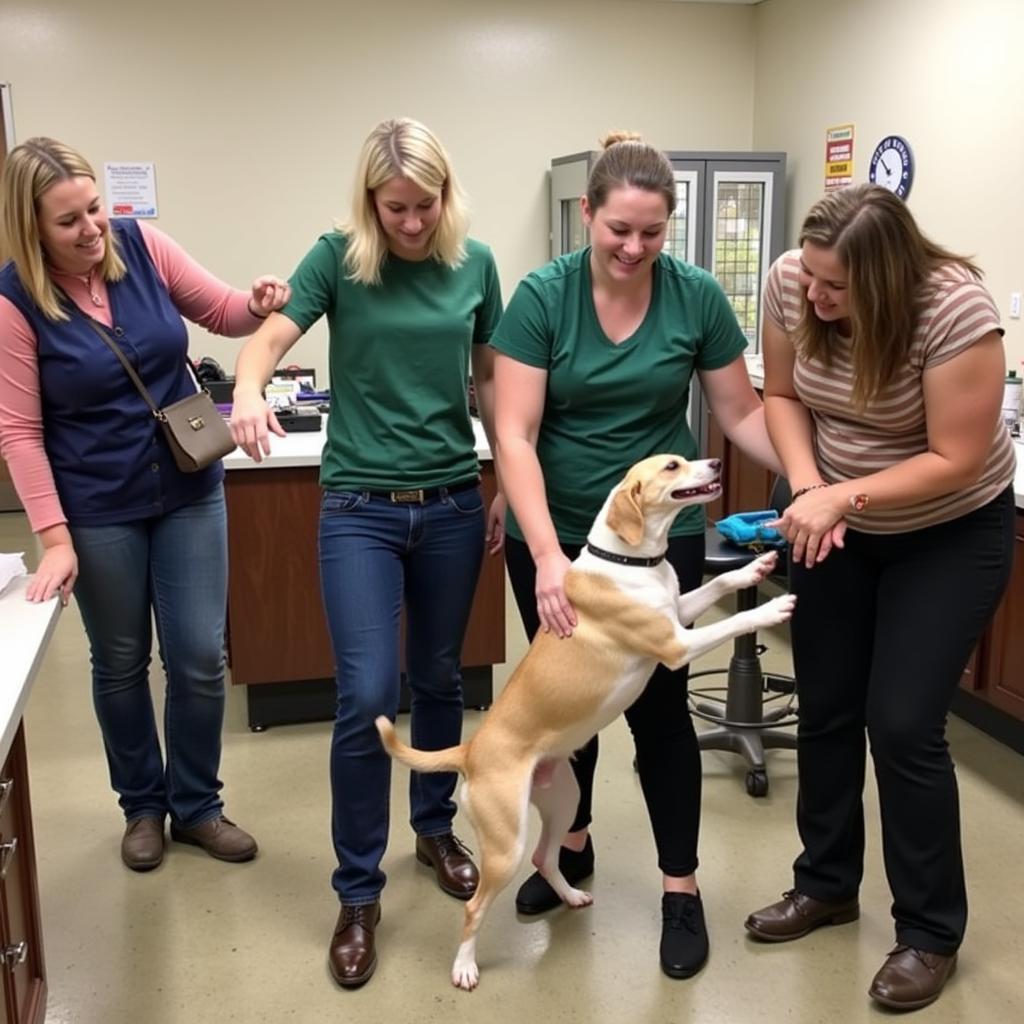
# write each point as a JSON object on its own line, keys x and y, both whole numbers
{"x": 172, "y": 570}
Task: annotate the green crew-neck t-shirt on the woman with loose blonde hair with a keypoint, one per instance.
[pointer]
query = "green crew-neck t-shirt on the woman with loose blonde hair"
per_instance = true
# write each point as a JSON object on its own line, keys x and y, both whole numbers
{"x": 400, "y": 364}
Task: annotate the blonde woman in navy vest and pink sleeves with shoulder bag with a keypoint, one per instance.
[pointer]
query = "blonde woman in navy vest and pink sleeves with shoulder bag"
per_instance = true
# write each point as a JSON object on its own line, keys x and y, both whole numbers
{"x": 138, "y": 540}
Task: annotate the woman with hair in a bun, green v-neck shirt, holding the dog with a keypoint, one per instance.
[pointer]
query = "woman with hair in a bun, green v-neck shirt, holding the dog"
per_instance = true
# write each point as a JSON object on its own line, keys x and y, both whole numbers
{"x": 596, "y": 354}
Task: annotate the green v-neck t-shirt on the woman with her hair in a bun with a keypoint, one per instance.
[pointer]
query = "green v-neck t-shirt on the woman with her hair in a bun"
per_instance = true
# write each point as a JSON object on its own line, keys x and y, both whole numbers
{"x": 611, "y": 406}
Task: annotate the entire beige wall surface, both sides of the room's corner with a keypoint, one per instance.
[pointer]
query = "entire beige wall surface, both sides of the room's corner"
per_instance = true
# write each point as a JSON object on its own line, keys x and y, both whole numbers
{"x": 254, "y": 123}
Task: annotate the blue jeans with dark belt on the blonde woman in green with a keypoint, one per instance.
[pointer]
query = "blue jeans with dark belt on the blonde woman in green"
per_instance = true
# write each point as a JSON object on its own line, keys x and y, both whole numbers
{"x": 374, "y": 558}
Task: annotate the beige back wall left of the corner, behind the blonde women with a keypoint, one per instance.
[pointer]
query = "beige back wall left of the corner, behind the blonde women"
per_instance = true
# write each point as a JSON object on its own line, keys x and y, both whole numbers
{"x": 254, "y": 122}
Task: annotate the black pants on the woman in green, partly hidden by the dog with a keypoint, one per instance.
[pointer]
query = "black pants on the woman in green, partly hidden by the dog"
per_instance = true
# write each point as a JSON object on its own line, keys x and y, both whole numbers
{"x": 668, "y": 756}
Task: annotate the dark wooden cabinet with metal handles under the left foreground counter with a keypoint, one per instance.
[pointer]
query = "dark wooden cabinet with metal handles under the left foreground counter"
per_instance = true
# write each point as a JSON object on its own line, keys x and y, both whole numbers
{"x": 21, "y": 932}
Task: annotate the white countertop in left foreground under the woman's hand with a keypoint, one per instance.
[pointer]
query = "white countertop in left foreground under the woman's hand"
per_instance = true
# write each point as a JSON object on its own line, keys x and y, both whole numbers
{"x": 26, "y": 629}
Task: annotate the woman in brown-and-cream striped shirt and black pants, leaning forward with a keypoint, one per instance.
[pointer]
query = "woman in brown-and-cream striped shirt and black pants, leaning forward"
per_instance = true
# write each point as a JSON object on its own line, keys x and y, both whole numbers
{"x": 884, "y": 368}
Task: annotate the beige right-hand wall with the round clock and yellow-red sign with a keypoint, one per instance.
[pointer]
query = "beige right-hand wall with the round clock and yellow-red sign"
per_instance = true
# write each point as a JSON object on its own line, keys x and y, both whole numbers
{"x": 948, "y": 75}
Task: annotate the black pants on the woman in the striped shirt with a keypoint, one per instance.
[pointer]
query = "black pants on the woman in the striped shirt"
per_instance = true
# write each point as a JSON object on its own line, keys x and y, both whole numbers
{"x": 881, "y": 635}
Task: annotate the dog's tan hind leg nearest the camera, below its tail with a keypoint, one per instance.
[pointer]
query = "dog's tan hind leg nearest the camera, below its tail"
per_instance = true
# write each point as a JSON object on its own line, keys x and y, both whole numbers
{"x": 497, "y": 806}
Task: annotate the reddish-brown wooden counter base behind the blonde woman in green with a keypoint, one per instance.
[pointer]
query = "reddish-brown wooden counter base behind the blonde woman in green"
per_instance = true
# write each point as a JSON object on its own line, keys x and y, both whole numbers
{"x": 277, "y": 631}
